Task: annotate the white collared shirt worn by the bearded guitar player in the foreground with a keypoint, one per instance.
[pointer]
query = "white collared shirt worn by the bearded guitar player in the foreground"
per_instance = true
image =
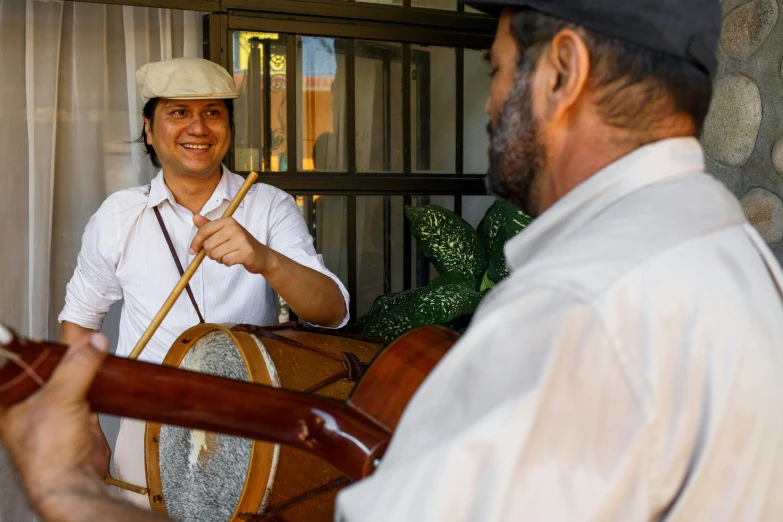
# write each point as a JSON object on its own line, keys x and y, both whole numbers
{"x": 629, "y": 369}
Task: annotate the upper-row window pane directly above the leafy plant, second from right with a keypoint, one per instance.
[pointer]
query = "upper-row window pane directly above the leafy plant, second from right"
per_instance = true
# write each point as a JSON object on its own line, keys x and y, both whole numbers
{"x": 433, "y": 104}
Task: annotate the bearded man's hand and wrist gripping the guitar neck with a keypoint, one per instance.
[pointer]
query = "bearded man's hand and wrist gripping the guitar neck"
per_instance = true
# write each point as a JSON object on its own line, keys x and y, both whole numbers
{"x": 57, "y": 447}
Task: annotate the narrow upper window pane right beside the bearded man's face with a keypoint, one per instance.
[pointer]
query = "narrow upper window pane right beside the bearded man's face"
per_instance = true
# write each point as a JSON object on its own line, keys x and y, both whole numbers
{"x": 475, "y": 136}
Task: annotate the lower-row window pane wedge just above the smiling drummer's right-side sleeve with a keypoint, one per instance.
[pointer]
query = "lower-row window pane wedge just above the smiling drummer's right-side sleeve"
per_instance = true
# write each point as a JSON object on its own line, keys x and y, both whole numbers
{"x": 327, "y": 219}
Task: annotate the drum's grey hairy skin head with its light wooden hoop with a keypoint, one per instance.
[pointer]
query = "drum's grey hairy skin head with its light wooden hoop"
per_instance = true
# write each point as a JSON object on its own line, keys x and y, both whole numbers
{"x": 201, "y": 475}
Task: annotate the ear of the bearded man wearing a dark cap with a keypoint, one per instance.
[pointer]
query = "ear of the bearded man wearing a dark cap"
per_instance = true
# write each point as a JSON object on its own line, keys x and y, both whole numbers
{"x": 565, "y": 68}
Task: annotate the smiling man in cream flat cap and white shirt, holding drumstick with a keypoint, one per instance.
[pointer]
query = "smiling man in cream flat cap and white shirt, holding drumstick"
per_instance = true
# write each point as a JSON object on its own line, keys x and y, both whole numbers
{"x": 132, "y": 245}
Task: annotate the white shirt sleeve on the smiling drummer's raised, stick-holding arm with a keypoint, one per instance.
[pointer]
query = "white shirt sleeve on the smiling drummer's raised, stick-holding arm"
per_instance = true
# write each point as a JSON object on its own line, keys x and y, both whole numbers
{"x": 289, "y": 235}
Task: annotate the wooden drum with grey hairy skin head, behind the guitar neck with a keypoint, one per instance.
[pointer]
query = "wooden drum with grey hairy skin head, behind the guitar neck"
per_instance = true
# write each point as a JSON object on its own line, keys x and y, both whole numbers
{"x": 198, "y": 476}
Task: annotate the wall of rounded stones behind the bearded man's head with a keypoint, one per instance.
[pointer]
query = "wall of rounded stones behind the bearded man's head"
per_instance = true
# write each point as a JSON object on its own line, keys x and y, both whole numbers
{"x": 743, "y": 135}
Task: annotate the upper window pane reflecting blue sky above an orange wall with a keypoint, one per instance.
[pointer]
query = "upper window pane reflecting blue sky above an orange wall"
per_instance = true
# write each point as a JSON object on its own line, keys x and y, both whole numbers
{"x": 321, "y": 137}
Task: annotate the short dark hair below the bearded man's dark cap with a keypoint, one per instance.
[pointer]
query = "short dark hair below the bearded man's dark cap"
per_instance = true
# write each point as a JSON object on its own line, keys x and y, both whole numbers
{"x": 632, "y": 83}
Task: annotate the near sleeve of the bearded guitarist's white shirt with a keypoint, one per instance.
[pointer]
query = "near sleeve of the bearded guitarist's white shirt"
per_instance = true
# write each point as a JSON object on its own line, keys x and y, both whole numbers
{"x": 529, "y": 417}
